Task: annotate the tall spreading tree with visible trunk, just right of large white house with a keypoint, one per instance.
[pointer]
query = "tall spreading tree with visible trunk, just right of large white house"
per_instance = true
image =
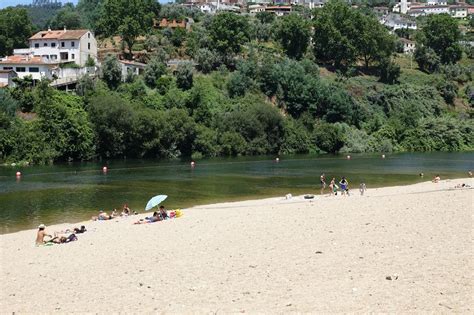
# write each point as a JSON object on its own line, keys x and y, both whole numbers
{"x": 129, "y": 18}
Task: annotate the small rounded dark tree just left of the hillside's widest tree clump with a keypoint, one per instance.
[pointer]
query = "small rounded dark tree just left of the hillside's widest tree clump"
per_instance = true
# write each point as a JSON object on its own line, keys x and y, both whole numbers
{"x": 293, "y": 33}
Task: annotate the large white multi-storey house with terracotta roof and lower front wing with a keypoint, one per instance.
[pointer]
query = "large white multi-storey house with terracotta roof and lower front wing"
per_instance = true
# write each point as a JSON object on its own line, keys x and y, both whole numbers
{"x": 48, "y": 50}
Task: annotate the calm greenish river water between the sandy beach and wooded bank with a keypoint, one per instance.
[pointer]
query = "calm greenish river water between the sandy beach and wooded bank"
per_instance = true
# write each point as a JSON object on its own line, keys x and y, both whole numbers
{"x": 74, "y": 192}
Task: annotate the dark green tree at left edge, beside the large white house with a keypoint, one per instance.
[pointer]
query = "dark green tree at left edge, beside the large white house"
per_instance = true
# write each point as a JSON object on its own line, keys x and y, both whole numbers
{"x": 15, "y": 29}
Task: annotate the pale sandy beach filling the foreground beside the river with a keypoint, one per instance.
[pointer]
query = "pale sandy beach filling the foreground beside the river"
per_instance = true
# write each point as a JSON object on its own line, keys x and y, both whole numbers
{"x": 330, "y": 254}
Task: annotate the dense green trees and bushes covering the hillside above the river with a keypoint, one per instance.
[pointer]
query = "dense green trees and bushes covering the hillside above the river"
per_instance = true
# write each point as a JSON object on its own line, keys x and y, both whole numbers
{"x": 245, "y": 85}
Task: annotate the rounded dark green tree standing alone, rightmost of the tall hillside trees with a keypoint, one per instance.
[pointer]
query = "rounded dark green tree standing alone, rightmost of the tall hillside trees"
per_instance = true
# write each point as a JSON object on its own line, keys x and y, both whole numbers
{"x": 441, "y": 34}
